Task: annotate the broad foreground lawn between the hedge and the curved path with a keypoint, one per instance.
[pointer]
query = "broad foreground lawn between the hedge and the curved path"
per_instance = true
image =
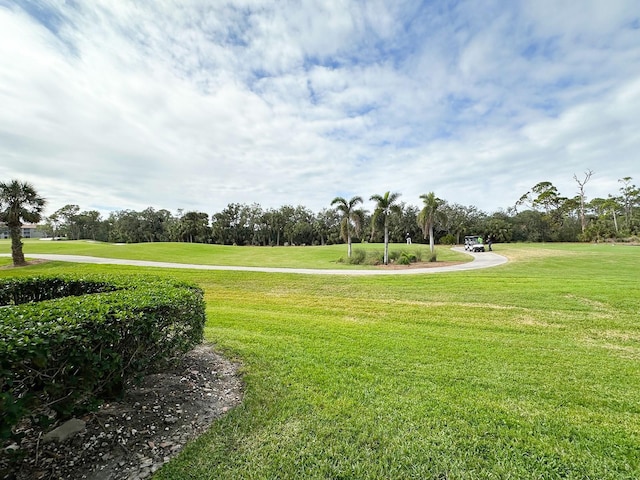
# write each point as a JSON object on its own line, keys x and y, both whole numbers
{"x": 527, "y": 370}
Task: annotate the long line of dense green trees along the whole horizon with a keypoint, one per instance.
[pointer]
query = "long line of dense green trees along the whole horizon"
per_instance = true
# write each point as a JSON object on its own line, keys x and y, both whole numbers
{"x": 541, "y": 214}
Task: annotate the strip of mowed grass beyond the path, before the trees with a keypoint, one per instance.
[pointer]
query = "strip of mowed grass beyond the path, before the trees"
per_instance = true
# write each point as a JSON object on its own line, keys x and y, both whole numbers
{"x": 326, "y": 257}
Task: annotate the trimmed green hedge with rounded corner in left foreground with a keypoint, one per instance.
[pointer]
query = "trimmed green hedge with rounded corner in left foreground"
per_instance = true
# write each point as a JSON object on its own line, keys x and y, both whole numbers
{"x": 66, "y": 342}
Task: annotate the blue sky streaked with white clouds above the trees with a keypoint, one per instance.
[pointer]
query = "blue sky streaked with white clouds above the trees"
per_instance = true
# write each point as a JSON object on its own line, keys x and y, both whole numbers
{"x": 194, "y": 104}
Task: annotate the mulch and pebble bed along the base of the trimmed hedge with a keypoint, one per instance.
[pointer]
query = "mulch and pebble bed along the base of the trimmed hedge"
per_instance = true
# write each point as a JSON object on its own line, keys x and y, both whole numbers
{"x": 133, "y": 438}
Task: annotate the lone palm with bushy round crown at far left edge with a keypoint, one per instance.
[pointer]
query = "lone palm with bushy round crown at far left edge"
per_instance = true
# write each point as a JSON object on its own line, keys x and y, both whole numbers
{"x": 19, "y": 201}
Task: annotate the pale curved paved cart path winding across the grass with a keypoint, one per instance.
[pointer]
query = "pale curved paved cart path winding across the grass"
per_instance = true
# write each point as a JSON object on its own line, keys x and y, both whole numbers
{"x": 480, "y": 260}
